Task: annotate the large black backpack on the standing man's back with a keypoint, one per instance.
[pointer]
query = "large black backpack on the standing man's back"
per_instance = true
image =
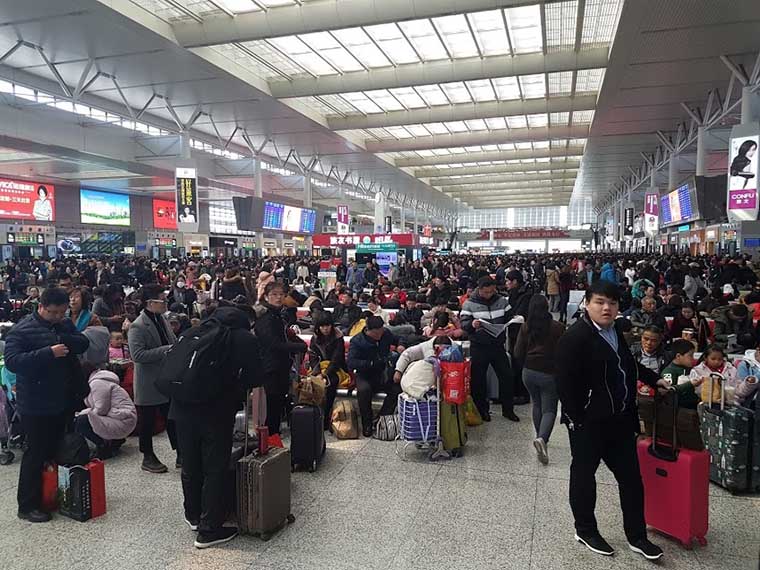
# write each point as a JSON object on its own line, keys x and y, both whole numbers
{"x": 196, "y": 369}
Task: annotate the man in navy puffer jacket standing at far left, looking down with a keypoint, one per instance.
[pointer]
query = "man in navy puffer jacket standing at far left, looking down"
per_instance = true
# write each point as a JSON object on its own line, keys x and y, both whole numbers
{"x": 41, "y": 349}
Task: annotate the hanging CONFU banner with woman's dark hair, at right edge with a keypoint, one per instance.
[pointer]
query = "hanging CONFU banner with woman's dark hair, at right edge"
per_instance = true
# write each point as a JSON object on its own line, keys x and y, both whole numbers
{"x": 742, "y": 202}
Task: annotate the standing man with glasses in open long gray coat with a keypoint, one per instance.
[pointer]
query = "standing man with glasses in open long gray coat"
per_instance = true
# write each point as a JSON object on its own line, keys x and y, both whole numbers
{"x": 150, "y": 337}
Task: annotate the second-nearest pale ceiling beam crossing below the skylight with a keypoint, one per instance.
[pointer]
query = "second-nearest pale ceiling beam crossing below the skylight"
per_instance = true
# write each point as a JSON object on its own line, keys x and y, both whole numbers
{"x": 442, "y": 71}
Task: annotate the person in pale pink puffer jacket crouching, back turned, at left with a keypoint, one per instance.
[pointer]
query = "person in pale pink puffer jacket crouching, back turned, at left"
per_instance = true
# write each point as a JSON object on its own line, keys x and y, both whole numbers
{"x": 110, "y": 415}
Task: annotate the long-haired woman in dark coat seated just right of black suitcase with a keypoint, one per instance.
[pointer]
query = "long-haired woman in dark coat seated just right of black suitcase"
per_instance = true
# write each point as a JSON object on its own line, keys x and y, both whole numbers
{"x": 327, "y": 356}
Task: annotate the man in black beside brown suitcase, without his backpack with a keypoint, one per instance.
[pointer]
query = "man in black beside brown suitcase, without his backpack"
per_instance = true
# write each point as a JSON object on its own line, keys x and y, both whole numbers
{"x": 204, "y": 432}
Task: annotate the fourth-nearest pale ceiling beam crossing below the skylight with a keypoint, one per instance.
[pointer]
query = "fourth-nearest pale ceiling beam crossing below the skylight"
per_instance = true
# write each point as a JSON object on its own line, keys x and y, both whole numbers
{"x": 478, "y": 138}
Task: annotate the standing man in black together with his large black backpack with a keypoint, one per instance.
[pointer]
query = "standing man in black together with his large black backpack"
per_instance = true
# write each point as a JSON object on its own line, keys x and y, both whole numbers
{"x": 204, "y": 413}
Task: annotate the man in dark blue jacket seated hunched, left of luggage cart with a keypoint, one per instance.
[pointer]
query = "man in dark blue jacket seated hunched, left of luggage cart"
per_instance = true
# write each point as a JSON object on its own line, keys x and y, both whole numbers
{"x": 369, "y": 356}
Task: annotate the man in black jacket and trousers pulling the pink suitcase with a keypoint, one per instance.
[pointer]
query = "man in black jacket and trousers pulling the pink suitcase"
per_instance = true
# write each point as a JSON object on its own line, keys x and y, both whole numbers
{"x": 596, "y": 379}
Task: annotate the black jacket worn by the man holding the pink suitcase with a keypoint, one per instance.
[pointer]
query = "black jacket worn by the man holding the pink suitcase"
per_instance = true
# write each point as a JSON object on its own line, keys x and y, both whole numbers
{"x": 588, "y": 376}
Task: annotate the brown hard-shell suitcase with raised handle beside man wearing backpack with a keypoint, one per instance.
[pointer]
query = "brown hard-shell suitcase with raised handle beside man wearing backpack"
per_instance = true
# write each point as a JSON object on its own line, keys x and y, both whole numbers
{"x": 263, "y": 490}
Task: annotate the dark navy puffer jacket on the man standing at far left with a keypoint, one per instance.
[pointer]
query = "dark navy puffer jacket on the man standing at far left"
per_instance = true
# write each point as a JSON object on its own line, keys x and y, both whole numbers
{"x": 45, "y": 385}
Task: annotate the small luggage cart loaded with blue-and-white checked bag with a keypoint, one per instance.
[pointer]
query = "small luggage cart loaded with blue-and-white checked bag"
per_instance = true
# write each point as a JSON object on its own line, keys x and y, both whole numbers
{"x": 418, "y": 427}
